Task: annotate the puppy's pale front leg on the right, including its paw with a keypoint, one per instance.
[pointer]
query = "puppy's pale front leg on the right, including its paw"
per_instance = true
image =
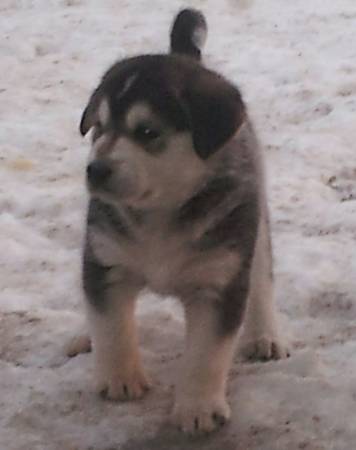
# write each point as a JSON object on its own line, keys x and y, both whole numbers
{"x": 200, "y": 403}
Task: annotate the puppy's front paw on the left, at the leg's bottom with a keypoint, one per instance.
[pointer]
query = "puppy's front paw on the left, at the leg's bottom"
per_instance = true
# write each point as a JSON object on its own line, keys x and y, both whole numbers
{"x": 131, "y": 385}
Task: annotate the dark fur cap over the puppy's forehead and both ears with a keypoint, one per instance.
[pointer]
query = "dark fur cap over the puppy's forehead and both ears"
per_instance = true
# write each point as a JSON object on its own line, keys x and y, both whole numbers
{"x": 182, "y": 92}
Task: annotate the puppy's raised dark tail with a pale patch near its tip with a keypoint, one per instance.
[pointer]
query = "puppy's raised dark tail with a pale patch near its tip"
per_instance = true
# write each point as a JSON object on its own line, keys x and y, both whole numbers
{"x": 189, "y": 32}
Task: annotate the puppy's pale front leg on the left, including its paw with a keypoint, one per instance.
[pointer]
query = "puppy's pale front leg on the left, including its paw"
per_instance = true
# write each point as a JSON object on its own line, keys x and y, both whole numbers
{"x": 118, "y": 369}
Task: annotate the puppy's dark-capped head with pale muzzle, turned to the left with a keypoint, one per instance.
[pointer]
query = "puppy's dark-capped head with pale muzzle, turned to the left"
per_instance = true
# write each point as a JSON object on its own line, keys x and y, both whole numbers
{"x": 157, "y": 121}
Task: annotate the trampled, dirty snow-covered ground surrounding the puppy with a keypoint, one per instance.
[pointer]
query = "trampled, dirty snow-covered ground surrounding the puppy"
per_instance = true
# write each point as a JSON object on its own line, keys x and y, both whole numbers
{"x": 295, "y": 62}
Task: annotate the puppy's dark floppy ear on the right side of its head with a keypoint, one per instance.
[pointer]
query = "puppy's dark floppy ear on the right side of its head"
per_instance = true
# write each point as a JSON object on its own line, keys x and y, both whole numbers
{"x": 216, "y": 112}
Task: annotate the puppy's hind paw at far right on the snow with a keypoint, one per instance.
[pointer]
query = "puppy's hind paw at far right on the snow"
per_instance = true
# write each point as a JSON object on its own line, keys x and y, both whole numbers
{"x": 263, "y": 347}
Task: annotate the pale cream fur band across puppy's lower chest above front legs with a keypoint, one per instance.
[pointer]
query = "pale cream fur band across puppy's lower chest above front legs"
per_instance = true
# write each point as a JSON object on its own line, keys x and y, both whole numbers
{"x": 166, "y": 262}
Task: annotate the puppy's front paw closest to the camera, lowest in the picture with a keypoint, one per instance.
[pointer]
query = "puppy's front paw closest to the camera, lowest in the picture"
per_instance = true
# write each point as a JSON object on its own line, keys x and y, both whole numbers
{"x": 196, "y": 415}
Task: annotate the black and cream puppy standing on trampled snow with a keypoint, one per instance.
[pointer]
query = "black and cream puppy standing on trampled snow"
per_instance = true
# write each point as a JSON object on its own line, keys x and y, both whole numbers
{"x": 177, "y": 205}
